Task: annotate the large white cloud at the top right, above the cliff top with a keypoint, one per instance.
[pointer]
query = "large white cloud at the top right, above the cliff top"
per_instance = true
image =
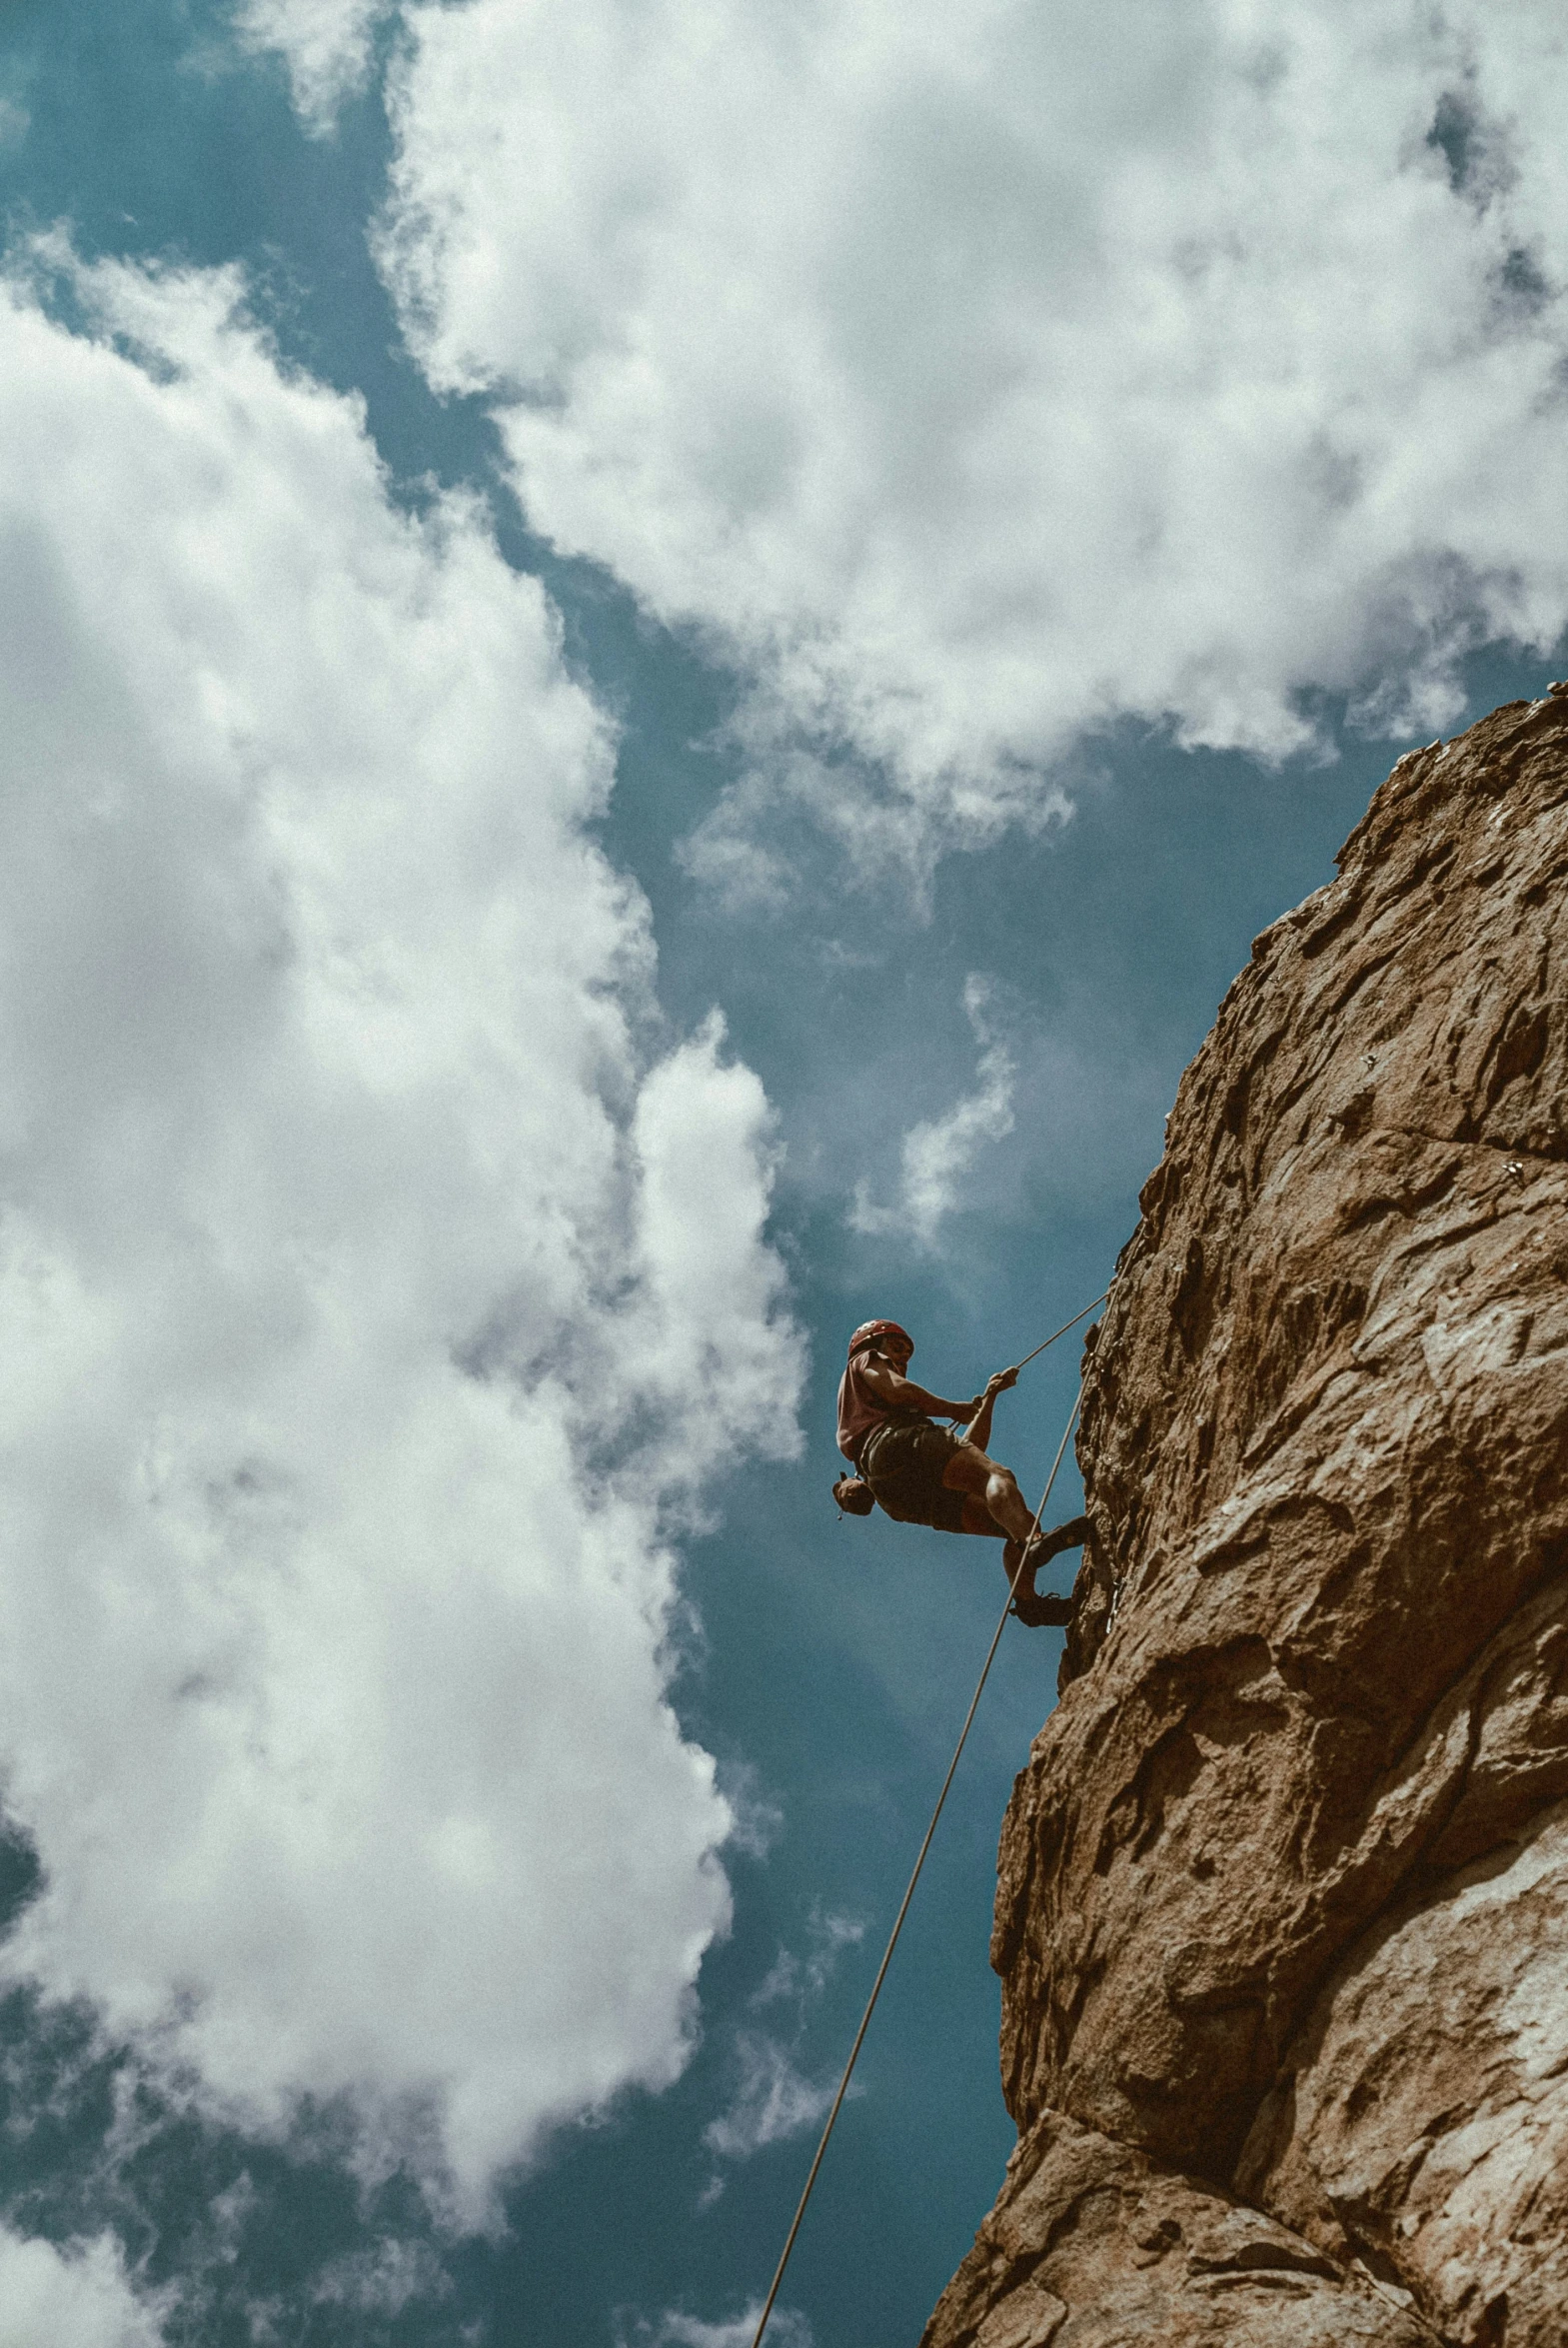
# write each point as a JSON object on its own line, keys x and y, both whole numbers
{"x": 978, "y": 377}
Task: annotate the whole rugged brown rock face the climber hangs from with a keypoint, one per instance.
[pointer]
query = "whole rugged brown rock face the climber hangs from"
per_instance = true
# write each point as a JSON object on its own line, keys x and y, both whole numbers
{"x": 1283, "y": 1908}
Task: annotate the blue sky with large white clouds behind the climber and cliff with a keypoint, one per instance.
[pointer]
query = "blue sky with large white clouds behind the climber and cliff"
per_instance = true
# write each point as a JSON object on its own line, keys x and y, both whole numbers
{"x": 656, "y": 663}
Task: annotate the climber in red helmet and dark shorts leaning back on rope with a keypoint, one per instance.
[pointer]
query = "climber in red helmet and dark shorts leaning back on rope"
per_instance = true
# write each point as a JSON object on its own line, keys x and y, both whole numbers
{"x": 924, "y": 1473}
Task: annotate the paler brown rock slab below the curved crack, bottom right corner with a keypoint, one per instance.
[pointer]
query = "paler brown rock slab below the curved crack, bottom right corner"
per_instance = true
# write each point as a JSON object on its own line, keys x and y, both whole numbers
{"x": 1421, "y": 2121}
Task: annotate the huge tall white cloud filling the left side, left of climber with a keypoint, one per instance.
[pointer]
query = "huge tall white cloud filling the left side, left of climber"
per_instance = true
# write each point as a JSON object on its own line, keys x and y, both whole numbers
{"x": 377, "y": 1288}
